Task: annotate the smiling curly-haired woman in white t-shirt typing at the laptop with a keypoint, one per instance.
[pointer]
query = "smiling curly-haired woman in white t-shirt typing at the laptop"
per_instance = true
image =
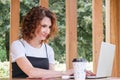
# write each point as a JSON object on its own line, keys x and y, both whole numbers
{"x": 31, "y": 55}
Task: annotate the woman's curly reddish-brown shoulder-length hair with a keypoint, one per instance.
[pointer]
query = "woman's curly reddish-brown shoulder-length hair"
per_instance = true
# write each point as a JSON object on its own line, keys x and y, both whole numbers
{"x": 33, "y": 19}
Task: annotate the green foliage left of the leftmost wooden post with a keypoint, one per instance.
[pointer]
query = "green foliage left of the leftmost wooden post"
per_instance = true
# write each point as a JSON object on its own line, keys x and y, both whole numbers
{"x": 4, "y": 28}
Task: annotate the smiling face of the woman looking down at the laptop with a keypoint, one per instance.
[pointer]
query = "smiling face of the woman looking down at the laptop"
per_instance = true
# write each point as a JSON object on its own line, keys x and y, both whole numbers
{"x": 43, "y": 30}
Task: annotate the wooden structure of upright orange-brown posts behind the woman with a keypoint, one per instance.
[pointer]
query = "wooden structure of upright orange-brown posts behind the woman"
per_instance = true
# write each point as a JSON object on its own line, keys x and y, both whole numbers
{"x": 112, "y": 28}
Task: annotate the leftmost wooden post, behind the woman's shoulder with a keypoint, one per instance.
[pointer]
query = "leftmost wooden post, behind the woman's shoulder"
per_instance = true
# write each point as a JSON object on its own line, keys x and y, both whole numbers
{"x": 14, "y": 24}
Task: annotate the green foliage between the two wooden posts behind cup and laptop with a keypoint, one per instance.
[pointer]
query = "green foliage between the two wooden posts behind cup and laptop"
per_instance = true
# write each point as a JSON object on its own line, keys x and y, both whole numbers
{"x": 85, "y": 29}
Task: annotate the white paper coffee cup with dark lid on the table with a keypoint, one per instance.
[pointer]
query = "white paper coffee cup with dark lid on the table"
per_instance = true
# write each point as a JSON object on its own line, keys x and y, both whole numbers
{"x": 79, "y": 66}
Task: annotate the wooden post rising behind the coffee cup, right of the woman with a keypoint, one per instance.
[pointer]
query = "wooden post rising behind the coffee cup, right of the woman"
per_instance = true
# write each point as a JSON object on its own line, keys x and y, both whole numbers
{"x": 71, "y": 31}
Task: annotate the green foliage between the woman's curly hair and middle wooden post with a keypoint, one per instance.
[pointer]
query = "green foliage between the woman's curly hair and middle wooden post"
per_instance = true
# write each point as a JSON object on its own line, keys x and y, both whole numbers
{"x": 58, "y": 44}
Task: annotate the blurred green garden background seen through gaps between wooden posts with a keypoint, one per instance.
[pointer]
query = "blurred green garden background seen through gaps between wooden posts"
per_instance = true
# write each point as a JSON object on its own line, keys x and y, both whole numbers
{"x": 84, "y": 31}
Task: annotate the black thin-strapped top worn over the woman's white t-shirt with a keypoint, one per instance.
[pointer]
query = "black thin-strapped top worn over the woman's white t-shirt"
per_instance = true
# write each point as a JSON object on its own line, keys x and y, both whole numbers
{"x": 36, "y": 62}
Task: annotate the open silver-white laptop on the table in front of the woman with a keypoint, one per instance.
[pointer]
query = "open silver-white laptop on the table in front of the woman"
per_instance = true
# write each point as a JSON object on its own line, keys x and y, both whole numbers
{"x": 105, "y": 62}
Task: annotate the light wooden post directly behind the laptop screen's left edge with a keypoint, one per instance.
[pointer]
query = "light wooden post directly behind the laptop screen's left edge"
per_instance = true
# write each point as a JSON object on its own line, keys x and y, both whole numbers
{"x": 97, "y": 30}
